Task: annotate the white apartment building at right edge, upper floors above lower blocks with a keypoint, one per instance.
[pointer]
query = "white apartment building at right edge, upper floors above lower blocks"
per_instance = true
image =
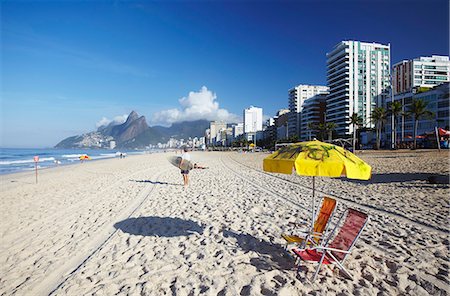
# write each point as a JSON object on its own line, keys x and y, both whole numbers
{"x": 420, "y": 72}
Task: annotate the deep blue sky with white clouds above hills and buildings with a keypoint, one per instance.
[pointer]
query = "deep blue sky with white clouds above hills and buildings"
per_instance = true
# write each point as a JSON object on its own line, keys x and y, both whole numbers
{"x": 67, "y": 65}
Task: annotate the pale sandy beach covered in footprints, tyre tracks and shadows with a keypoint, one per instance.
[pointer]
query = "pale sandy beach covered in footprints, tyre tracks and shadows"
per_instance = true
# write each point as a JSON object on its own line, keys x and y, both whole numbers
{"x": 127, "y": 227}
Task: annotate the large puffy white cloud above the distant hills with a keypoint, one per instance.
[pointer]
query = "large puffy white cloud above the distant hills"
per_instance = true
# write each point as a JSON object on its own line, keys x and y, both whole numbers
{"x": 197, "y": 105}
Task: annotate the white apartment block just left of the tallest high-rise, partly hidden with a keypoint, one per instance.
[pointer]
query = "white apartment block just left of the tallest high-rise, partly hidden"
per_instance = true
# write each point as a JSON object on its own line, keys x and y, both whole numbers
{"x": 297, "y": 96}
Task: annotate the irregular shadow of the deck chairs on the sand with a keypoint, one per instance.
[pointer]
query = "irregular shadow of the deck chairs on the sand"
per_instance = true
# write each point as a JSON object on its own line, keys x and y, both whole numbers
{"x": 271, "y": 256}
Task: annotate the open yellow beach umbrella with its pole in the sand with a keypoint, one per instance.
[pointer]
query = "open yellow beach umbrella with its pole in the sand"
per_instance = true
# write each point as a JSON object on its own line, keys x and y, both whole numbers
{"x": 315, "y": 158}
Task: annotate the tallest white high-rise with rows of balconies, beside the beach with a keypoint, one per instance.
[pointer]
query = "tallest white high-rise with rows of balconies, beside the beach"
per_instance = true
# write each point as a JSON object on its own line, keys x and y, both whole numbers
{"x": 358, "y": 75}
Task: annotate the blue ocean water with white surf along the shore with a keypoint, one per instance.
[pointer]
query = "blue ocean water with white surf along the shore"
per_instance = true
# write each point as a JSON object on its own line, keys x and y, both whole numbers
{"x": 13, "y": 160}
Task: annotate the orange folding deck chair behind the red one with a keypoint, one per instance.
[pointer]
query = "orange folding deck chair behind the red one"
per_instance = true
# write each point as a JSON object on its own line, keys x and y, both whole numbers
{"x": 320, "y": 225}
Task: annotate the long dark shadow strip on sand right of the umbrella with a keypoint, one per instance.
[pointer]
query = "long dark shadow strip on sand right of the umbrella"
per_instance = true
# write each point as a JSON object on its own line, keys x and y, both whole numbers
{"x": 403, "y": 177}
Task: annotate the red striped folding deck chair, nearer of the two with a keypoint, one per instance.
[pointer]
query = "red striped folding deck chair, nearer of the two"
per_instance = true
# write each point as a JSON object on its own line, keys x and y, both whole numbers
{"x": 340, "y": 247}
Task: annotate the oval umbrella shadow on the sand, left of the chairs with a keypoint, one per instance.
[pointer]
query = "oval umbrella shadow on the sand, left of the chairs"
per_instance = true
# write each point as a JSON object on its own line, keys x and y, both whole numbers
{"x": 159, "y": 226}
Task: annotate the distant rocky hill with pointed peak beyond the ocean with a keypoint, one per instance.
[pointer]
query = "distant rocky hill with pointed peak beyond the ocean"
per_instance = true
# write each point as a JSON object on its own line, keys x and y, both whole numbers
{"x": 135, "y": 133}
